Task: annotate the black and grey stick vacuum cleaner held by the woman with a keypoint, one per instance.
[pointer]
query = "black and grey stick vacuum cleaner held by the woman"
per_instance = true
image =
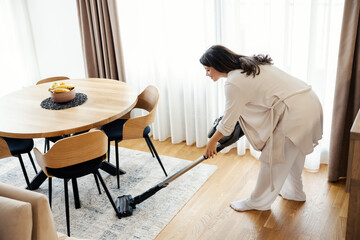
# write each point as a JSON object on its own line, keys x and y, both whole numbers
{"x": 126, "y": 204}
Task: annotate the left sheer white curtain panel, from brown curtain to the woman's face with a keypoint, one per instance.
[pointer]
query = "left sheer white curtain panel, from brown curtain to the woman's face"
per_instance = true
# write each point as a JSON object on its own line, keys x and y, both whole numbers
{"x": 162, "y": 42}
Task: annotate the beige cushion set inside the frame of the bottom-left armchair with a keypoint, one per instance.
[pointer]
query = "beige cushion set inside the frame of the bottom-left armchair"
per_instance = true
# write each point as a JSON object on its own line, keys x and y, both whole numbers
{"x": 15, "y": 219}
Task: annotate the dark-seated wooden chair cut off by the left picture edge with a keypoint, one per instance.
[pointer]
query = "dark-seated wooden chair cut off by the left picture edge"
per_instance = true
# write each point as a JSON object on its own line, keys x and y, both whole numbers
{"x": 15, "y": 147}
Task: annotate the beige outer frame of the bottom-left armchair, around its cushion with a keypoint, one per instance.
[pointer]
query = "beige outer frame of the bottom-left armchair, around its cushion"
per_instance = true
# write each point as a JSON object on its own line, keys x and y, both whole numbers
{"x": 43, "y": 223}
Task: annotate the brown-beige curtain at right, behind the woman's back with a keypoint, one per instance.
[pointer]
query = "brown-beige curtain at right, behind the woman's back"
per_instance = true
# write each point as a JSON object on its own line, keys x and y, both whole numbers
{"x": 347, "y": 90}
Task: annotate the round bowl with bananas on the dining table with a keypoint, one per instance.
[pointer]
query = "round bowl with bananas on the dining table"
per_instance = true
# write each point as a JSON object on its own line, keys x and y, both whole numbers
{"x": 62, "y": 92}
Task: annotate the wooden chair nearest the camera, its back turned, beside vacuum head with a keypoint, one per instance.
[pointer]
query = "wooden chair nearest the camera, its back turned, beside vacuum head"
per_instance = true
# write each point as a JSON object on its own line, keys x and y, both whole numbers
{"x": 74, "y": 157}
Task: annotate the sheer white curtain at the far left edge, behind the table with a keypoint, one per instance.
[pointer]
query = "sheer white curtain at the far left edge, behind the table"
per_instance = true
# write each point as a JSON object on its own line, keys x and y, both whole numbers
{"x": 18, "y": 62}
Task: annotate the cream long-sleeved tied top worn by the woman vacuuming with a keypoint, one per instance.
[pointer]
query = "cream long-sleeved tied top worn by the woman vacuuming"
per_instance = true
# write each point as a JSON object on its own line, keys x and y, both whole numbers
{"x": 277, "y": 98}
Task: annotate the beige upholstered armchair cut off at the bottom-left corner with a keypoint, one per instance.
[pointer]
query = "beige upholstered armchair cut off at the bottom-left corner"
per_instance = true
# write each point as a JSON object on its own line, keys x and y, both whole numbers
{"x": 26, "y": 215}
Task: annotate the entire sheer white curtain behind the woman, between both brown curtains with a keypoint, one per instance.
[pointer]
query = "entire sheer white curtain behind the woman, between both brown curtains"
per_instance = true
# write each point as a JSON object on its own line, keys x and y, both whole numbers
{"x": 164, "y": 39}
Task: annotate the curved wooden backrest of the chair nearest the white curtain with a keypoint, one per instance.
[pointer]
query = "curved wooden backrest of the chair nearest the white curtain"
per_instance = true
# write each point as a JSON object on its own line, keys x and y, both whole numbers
{"x": 147, "y": 100}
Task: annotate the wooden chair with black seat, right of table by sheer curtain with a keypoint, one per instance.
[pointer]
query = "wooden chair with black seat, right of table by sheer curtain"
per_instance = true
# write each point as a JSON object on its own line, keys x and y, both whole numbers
{"x": 133, "y": 128}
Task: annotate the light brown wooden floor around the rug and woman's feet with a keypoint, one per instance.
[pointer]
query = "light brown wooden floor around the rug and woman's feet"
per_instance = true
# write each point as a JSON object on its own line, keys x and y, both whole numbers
{"x": 208, "y": 215}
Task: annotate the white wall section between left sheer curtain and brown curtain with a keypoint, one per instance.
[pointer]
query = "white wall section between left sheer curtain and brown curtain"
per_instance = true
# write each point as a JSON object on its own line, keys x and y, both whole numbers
{"x": 57, "y": 38}
